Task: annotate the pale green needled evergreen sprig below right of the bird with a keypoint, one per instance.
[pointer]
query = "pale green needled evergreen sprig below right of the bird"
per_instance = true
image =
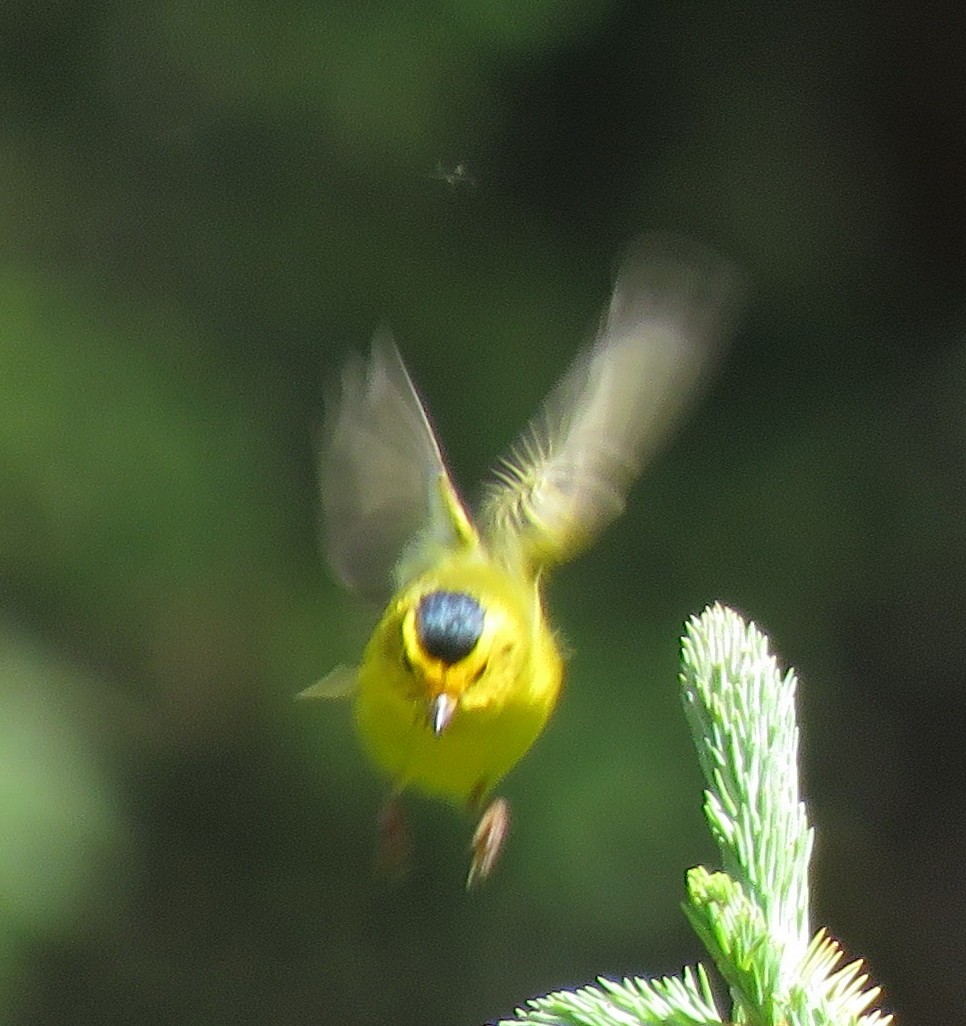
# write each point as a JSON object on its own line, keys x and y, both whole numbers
{"x": 753, "y": 916}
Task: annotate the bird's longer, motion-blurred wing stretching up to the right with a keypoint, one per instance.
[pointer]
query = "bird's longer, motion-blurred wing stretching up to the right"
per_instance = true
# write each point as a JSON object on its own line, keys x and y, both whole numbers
{"x": 567, "y": 478}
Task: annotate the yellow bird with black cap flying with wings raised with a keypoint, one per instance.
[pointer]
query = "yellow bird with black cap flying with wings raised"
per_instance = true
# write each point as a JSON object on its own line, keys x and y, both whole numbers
{"x": 463, "y": 672}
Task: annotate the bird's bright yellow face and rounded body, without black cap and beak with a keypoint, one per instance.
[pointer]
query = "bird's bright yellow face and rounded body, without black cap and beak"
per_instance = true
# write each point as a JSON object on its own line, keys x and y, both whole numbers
{"x": 503, "y": 691}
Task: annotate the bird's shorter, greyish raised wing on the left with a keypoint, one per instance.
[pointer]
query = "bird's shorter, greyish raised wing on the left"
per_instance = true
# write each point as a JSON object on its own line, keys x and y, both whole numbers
{"x": 387, "y": 500}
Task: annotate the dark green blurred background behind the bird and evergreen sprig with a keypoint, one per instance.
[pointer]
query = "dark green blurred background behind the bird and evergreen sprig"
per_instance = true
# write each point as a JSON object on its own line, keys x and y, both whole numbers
{"x": 204, "y": 208}
